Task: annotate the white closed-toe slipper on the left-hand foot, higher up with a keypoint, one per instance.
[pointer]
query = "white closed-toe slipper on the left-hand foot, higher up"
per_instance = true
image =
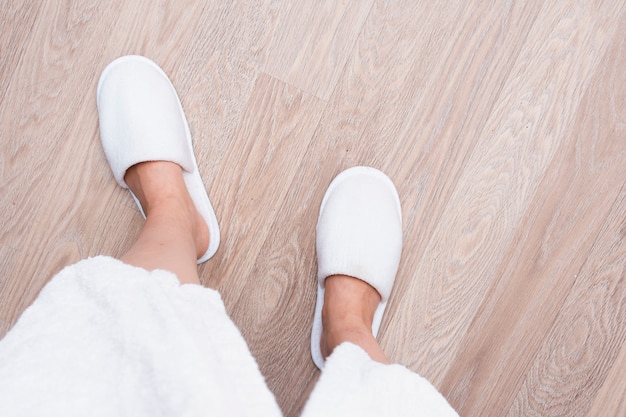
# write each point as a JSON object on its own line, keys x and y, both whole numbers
{"x": 141, "y": 119}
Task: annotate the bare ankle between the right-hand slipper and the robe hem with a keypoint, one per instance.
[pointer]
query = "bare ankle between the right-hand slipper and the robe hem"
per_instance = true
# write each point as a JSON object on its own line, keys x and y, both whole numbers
{"x": 349, "y": 306}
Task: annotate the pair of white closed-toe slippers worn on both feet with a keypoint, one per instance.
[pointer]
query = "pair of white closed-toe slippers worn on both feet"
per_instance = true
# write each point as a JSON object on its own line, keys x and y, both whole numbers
{"x": 359, "y": 229}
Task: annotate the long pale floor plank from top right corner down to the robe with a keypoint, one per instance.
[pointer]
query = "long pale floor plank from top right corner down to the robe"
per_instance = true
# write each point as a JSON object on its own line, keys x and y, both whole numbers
{"x": 527, "y": 125}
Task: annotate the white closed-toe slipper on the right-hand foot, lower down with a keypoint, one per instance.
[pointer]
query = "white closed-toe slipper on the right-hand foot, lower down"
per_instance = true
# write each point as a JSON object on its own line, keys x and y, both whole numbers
{"x": 359, "y": 234}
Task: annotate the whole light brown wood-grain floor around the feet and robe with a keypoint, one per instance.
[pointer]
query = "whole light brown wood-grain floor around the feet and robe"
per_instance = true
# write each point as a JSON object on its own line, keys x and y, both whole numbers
{"x": 502, "y": 124}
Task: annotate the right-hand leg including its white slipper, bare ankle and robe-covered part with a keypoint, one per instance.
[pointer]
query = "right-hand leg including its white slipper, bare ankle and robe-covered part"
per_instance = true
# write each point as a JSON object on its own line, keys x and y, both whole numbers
{"x": 359, "y": 242}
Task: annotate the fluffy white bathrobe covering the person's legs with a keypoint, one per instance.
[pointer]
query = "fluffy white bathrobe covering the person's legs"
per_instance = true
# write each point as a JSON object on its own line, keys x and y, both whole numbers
{"x": 108, "y": 339}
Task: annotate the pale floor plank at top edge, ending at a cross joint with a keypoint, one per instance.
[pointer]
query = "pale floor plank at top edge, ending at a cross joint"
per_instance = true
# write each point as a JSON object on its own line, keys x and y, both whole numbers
{"x": 312, "y": 42}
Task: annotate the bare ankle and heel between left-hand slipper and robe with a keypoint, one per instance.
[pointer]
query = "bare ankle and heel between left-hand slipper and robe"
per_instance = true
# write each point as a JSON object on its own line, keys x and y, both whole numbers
{"x": 174, "y": 235}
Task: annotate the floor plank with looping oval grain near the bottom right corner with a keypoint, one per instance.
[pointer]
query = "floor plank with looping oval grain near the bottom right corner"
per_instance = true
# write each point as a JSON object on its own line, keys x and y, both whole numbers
{"x": 581, "y": 347}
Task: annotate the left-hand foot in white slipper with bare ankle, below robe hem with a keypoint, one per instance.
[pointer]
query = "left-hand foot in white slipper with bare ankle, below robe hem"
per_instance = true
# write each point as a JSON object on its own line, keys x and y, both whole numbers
{"x": 148, "y": 144}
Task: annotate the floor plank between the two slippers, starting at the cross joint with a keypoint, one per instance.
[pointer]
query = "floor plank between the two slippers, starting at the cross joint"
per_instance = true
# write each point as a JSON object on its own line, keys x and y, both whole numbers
{"x": 275, "y": 130}
